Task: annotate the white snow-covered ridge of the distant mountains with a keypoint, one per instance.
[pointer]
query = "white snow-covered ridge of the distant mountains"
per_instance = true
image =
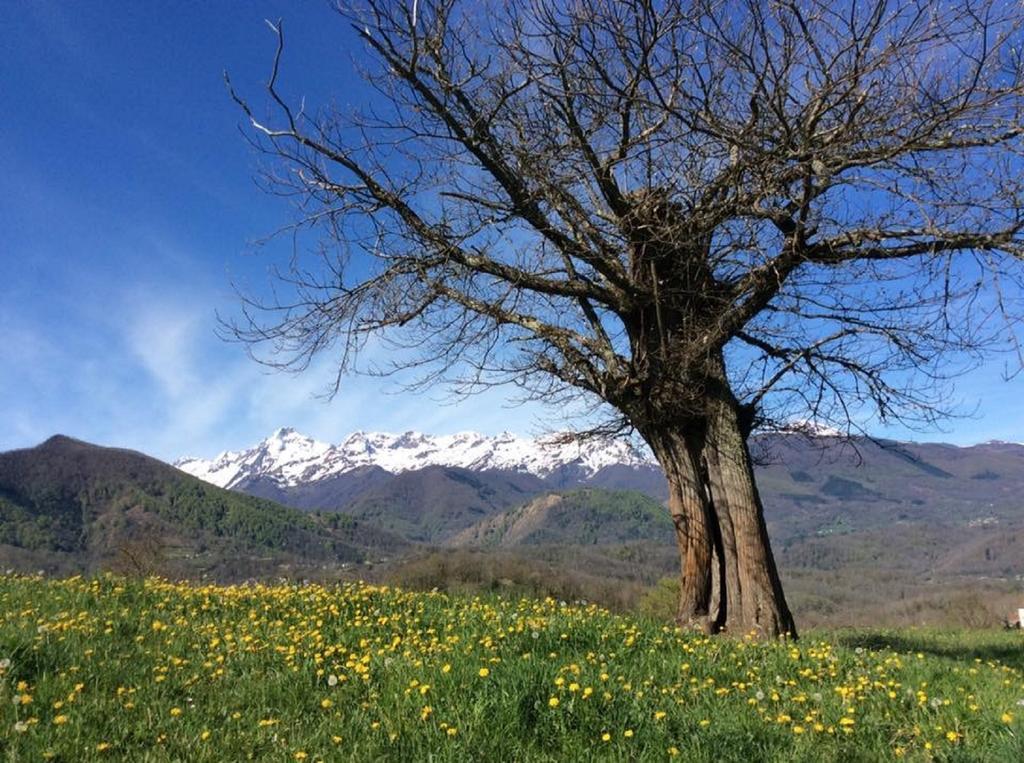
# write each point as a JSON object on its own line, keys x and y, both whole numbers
{"x": 289, "y": 458}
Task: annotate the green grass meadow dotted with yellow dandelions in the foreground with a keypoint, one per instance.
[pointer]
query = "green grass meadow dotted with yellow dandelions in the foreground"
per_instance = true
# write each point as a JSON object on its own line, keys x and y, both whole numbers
{"x": 113, "y": 669}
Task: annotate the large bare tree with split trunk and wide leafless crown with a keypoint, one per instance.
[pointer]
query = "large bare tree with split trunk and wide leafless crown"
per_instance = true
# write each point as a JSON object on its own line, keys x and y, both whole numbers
{"x": 710, "y": 217}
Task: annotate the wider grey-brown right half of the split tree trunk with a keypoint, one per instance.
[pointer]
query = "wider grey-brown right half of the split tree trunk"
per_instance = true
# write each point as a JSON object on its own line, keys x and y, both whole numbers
{"x": 756, "y": 603}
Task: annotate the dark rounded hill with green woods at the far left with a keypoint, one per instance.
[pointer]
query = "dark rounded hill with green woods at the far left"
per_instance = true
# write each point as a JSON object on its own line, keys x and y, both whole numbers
{"x": 68, "y": 502}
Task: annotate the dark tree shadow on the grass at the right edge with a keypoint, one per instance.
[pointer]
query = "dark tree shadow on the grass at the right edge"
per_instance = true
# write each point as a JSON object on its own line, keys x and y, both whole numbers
{"x": 1004, "y": 648}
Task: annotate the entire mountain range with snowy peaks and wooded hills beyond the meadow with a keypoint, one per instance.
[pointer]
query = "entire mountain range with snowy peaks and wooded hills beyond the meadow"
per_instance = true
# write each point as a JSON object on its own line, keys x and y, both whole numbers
{"x": 854, "y": 525}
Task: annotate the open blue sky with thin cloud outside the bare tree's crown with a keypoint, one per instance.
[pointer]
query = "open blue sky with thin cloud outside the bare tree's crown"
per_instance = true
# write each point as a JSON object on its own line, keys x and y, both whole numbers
{"x": 129, "y": 209}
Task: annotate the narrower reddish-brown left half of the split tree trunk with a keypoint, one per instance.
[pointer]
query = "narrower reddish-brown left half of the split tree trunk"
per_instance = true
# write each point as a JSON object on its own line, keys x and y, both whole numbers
{"x": 697, "y": 533}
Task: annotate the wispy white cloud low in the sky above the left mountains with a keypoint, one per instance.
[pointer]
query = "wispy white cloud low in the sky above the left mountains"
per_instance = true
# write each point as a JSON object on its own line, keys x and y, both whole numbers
{"x": 162, "y": 383}
